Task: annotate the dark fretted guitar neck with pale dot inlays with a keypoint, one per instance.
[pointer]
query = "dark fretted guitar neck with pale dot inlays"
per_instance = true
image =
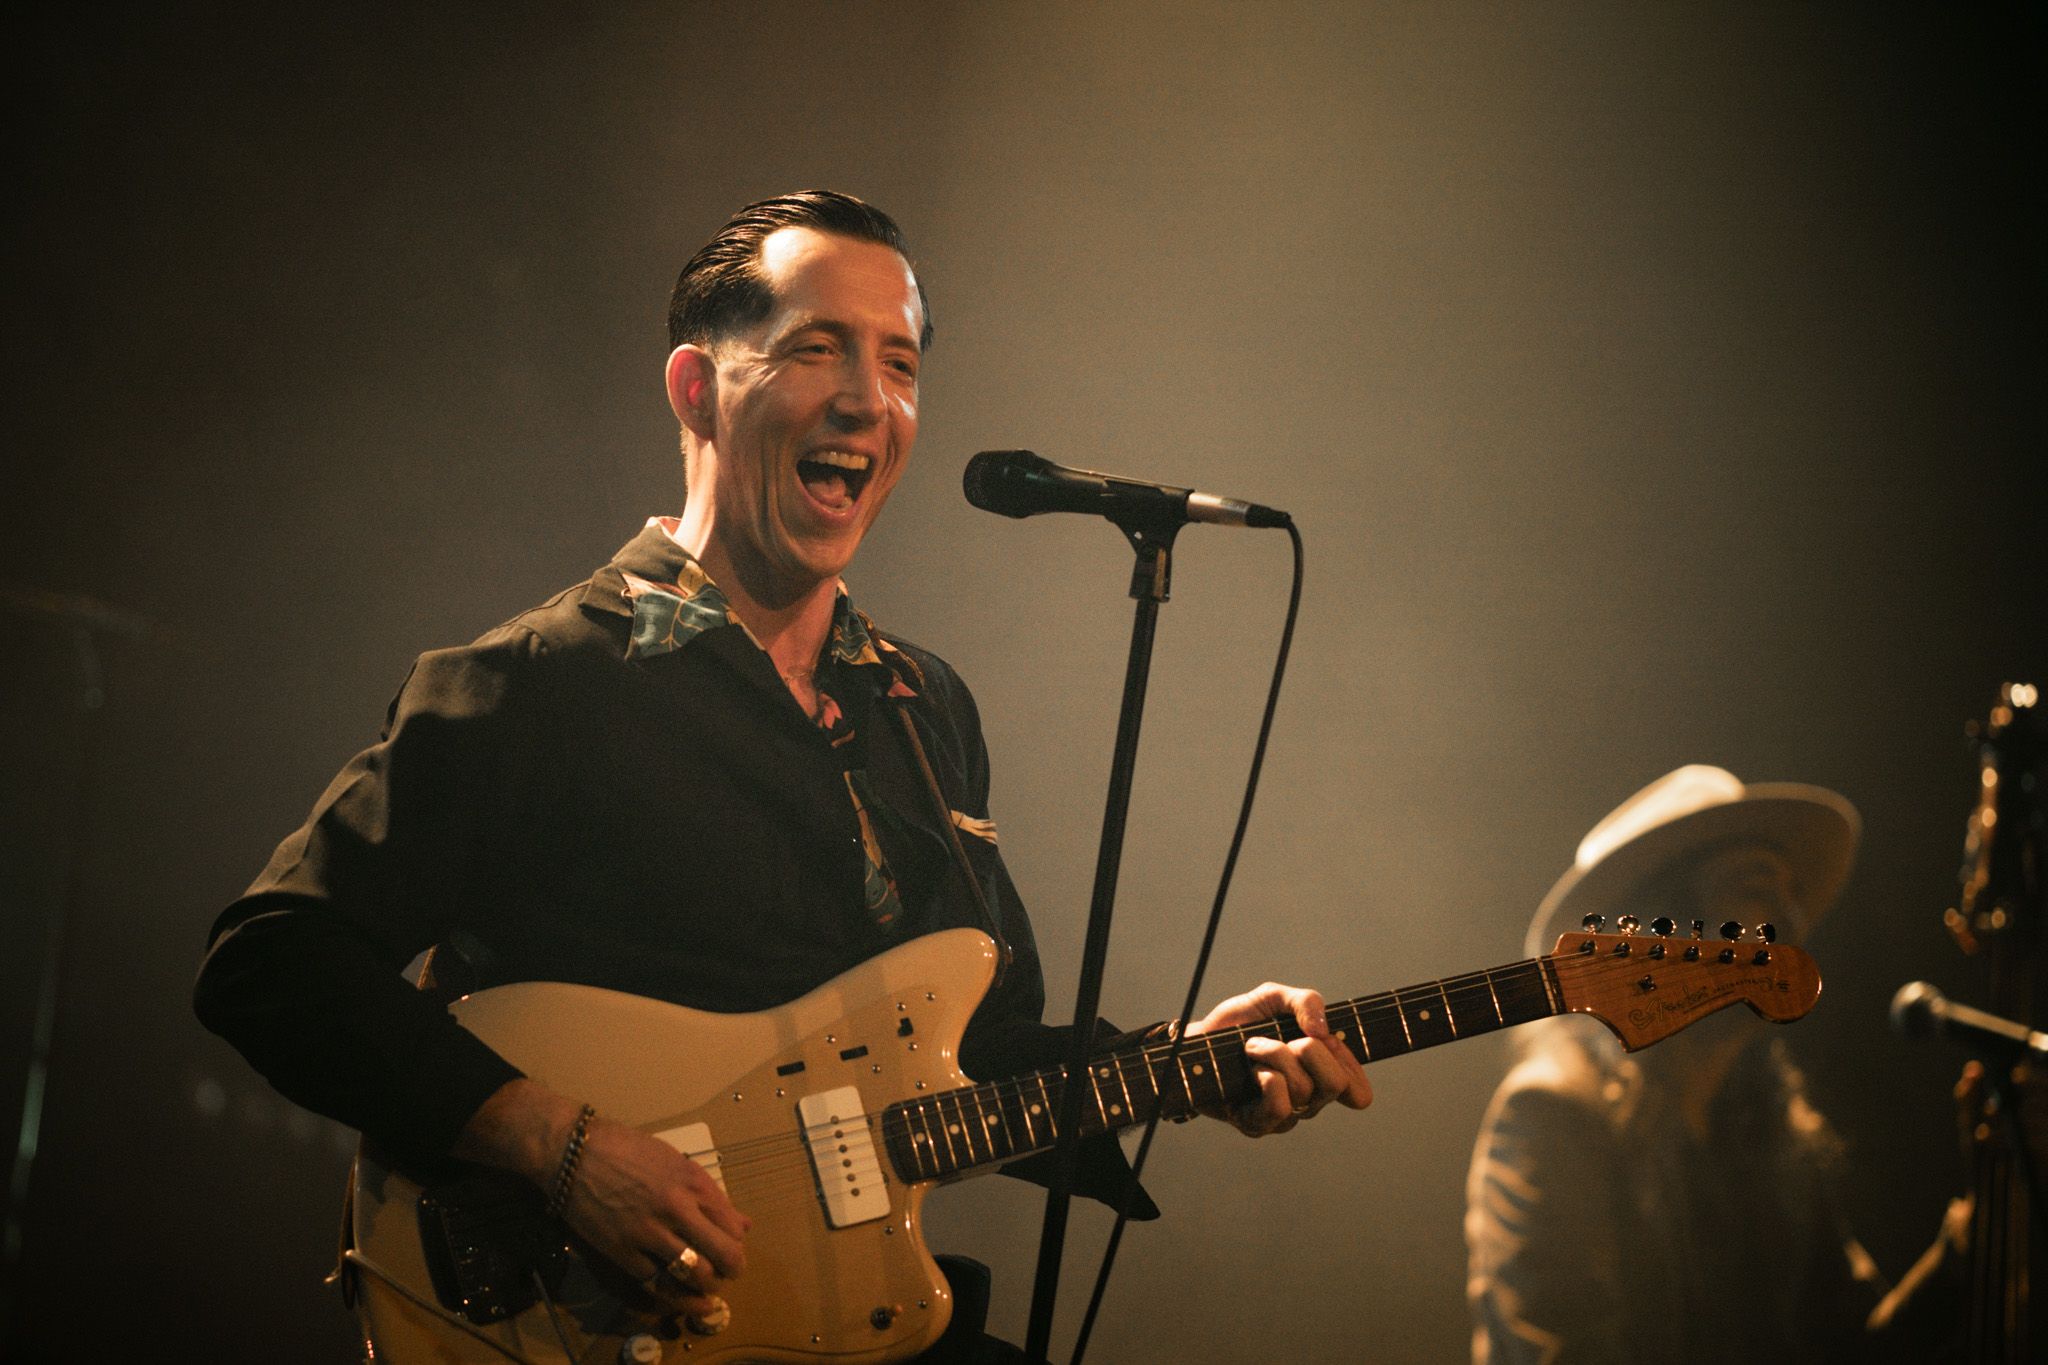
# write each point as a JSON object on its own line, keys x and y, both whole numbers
{"x": 962, "y": 1131}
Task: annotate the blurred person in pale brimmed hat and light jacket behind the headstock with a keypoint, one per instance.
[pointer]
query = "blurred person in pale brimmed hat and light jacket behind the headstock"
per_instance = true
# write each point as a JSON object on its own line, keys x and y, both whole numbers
{"x": 1676, "y": 1204}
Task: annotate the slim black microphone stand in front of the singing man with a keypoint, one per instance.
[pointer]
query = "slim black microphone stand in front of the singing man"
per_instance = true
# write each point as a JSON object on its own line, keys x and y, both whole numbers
{"x": 1152, "y": 574}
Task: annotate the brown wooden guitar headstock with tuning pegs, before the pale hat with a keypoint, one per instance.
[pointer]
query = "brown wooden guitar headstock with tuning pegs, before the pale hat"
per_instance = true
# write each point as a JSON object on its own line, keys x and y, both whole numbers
{"x": 1652, "y": 985}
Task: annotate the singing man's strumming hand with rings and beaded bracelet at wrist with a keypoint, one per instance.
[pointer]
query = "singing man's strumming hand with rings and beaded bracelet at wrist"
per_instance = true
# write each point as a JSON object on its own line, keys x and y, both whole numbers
{"x": 636, "y": 1200}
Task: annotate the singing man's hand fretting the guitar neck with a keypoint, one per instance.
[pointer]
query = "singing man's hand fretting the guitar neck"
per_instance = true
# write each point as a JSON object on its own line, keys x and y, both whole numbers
{"x": 1297, "y": 1080}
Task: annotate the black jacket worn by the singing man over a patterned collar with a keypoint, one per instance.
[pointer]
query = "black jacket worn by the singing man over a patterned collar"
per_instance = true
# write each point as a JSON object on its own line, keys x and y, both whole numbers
{"x": 671, "y": 826}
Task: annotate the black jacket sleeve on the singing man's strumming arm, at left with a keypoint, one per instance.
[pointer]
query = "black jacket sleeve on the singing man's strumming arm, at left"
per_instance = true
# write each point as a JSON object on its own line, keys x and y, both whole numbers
{"x": 306, "y": 971}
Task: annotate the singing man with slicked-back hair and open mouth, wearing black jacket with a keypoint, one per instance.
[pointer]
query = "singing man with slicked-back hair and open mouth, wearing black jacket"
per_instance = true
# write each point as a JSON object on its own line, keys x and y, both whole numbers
{"x": 697, "y": 777}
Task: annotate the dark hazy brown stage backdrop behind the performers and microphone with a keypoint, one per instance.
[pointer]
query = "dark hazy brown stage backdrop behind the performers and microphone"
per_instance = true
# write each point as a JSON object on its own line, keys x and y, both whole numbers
{"x": 1652, "y": 384}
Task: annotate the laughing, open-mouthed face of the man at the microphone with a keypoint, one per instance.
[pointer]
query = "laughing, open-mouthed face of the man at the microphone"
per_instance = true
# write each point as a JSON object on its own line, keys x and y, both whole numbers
{"x": 816, "y": 410}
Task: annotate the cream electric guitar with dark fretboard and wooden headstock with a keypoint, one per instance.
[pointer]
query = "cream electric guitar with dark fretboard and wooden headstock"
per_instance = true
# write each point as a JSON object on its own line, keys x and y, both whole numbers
{"x": 828, "y": 1120}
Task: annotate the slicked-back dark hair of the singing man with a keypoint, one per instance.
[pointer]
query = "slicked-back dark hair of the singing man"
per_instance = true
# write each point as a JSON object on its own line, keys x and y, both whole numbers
{"x": 724, "y": 290}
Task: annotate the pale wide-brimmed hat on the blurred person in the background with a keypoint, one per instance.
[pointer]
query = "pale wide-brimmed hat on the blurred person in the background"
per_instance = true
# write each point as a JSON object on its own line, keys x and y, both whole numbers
{"x": 1691, "y": 811}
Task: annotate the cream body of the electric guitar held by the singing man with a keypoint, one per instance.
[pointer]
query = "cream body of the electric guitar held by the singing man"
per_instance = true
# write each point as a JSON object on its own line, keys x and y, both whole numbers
{"x": 728, "y": 1088}
